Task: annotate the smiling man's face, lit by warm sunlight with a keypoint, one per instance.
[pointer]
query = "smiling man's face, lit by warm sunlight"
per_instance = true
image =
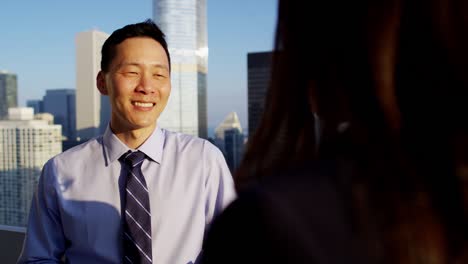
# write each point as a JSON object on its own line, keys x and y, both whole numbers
{"x": 138, "y": 84}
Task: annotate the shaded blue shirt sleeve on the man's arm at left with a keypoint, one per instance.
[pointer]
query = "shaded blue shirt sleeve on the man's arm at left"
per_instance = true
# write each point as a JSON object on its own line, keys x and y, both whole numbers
{"x": 44, "y": 241}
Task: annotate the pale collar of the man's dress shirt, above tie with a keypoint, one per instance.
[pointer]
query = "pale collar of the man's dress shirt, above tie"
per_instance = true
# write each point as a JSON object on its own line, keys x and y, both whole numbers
{"x": 152, "y": 147}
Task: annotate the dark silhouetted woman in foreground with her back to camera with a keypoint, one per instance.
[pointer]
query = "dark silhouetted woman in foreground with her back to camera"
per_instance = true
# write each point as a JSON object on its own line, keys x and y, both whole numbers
{"x": 387, "y": 181}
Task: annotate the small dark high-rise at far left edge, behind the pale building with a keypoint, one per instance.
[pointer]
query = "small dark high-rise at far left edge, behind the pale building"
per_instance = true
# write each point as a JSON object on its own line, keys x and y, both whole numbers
{"x": 8, "y": 92}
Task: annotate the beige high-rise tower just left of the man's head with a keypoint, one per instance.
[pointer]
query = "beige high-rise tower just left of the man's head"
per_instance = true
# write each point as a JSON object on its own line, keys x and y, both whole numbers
{"x": 91, "y": 107}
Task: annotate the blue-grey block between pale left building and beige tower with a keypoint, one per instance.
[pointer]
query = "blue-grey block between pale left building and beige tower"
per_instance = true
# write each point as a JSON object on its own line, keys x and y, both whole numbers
{"x": 61, "y": 104}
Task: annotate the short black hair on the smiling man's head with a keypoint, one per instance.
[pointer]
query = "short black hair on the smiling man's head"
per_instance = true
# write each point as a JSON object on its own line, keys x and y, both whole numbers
{"x": 144, "y": 29}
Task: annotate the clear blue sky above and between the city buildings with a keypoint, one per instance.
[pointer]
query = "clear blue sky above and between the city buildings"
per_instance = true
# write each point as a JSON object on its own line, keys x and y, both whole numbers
{"x": 37, "y": 42}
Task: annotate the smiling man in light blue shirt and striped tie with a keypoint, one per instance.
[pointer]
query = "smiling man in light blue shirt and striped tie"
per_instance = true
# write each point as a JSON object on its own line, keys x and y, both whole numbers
{"x": 138, "y": 193}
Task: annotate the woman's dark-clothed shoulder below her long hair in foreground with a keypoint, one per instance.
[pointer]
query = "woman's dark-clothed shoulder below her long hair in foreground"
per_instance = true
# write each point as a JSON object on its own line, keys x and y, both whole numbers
{"x": 294, "y": 216}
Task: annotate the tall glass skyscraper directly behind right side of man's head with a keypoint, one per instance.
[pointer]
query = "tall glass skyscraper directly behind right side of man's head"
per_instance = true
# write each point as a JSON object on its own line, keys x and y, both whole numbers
{"x": 184, "y": 24}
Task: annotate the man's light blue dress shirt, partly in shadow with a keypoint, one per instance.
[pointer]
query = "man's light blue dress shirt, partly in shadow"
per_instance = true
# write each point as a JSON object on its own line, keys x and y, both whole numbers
{"x": 76, "y": 211}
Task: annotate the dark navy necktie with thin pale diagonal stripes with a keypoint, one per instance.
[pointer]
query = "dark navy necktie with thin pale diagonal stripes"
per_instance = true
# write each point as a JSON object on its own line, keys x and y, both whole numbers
{"x": 137, "y": 223}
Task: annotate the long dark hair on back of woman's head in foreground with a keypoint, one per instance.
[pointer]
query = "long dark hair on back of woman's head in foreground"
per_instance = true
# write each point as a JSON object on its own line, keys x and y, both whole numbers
{"x": 393, "y": 72}
